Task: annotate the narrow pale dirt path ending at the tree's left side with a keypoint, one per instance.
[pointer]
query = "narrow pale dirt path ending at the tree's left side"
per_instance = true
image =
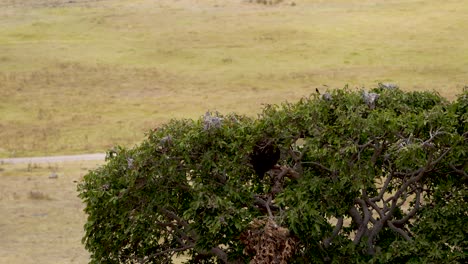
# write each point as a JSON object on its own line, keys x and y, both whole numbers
{"x": 51, "y": 159}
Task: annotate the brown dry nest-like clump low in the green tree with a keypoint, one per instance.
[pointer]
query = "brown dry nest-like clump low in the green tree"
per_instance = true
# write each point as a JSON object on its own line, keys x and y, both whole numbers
{"x": 268, "y": 243}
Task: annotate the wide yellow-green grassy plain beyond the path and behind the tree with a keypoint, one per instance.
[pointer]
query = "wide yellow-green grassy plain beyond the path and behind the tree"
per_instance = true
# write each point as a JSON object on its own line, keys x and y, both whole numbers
{"x": 83, "y": 77}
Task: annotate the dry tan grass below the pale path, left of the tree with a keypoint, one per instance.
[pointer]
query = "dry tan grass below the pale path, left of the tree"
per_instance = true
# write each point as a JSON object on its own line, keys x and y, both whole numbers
{"x": 42, "y": 218}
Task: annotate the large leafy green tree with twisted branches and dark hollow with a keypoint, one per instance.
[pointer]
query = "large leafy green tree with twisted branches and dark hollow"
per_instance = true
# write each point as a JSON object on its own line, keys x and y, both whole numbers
{"x": 349, "y": 176}
